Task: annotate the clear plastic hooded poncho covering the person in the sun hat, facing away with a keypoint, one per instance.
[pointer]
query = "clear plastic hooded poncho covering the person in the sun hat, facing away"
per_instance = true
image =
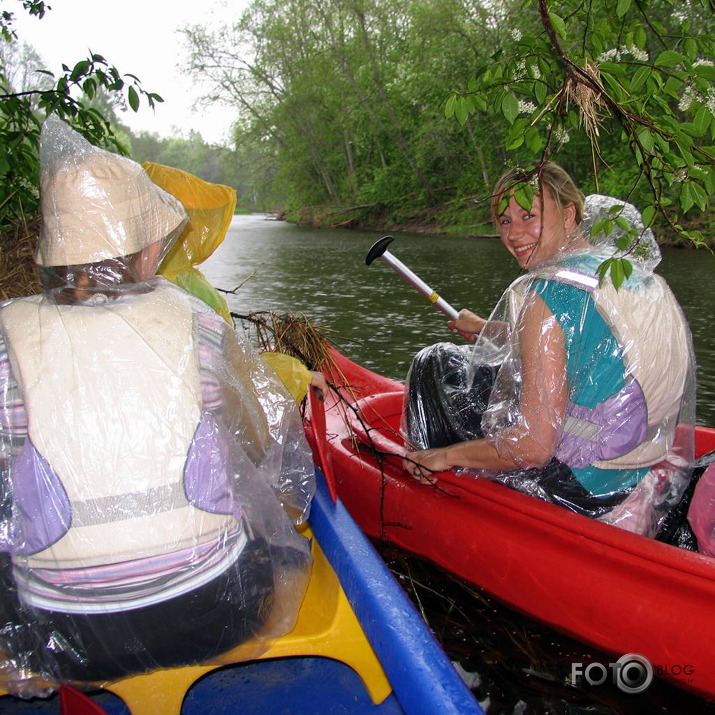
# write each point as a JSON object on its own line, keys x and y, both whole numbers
{"x": 152, "y": 465}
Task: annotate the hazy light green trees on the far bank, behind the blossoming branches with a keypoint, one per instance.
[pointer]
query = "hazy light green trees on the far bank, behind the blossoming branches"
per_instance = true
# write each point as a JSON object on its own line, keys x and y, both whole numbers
{"x": 345, "y": 97}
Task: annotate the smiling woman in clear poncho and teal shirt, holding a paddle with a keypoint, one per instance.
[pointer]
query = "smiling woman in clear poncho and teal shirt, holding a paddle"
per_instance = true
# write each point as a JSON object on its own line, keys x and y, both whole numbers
{"x": 576, "y": 391}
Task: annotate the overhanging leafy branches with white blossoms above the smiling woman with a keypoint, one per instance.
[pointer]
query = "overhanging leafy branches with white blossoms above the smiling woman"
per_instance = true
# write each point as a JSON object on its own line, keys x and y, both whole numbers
{"x": 638, "y": 77}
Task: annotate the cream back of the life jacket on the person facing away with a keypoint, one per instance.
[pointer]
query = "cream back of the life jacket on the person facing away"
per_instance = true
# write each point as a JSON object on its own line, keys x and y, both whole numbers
{"x": 113, "y": 398}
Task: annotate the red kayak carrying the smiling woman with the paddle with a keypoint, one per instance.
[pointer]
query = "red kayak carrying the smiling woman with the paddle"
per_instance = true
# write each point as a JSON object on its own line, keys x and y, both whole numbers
{"x": 616, "y": 591}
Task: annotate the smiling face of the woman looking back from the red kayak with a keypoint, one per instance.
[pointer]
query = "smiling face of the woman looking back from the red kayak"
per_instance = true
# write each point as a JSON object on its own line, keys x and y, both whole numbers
{"x": 536, "y": 235}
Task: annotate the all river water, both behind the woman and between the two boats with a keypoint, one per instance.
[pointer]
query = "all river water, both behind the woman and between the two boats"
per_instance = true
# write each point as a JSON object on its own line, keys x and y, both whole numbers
{"x": 376, "y": 319}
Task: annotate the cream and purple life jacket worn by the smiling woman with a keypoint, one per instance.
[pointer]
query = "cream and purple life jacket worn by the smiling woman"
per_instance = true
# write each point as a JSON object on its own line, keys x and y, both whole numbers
{"x": 636, "y": 427}
